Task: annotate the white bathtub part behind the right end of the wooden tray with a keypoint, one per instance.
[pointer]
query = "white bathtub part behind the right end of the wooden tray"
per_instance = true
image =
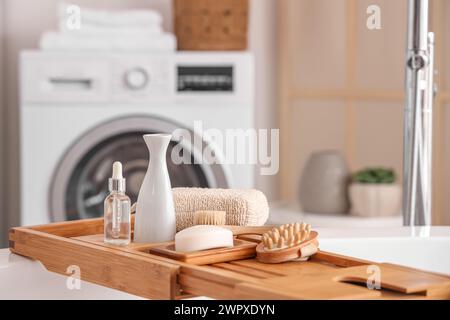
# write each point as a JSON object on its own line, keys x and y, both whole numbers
{"x": 426, "y": 248}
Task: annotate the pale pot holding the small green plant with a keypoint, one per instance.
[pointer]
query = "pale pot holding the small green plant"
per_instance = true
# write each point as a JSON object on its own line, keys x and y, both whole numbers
{"x": 375, "y": 200}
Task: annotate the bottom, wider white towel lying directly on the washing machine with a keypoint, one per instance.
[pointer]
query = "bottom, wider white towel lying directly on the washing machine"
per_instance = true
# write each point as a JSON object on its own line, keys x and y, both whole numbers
{"x": 54, "y": 41}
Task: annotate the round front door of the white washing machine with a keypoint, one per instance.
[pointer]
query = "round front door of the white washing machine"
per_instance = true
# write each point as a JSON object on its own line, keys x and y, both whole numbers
{"x": 80, "y": 181}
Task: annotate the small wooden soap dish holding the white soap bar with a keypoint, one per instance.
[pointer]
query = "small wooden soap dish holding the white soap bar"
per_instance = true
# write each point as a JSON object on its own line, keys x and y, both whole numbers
{"x": 241, "y": 250}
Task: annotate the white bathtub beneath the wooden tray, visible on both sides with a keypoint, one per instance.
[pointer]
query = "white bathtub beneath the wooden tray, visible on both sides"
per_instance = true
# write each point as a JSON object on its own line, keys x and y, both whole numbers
{"x": 423, "y": 248}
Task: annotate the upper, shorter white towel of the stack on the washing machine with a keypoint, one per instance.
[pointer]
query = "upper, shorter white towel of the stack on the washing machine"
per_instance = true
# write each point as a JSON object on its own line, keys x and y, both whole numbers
{"x": 122, "y": 18}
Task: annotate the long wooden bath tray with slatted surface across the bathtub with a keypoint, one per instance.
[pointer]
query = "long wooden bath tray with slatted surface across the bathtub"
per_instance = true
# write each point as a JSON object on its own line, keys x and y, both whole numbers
{"x": 134, "y": 270}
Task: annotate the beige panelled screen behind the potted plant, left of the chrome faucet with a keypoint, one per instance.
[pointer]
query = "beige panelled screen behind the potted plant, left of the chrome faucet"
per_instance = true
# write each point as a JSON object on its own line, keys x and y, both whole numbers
{"x": 342, "y": 84}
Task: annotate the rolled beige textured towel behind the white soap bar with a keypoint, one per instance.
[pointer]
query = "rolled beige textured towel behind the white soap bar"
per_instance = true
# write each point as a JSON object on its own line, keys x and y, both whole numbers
{"x": 242, "y": 207}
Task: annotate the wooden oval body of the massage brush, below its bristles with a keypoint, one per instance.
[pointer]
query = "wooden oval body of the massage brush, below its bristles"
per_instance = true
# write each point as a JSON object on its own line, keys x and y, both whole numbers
{"x": 289, "y": 253}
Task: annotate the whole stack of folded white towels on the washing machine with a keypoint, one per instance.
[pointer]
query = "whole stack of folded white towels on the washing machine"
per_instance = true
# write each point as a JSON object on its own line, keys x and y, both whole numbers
{"x": 101, "y": 30}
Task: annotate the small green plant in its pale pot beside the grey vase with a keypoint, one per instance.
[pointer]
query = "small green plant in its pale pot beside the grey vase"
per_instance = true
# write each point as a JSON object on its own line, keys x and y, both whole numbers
{"x": 373, "y": 193}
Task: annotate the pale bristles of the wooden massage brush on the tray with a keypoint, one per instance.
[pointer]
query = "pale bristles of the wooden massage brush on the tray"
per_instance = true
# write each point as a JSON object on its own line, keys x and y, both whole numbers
{"x": 286, "y": 235}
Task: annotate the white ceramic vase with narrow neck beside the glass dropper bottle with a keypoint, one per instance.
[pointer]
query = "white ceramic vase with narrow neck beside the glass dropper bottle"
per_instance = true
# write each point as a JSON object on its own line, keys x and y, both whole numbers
{"x": 155, "y": 214}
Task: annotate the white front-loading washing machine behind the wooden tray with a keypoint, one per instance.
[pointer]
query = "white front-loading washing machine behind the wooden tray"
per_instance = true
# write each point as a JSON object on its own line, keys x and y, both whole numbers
{"x": 80, "y": 112}
